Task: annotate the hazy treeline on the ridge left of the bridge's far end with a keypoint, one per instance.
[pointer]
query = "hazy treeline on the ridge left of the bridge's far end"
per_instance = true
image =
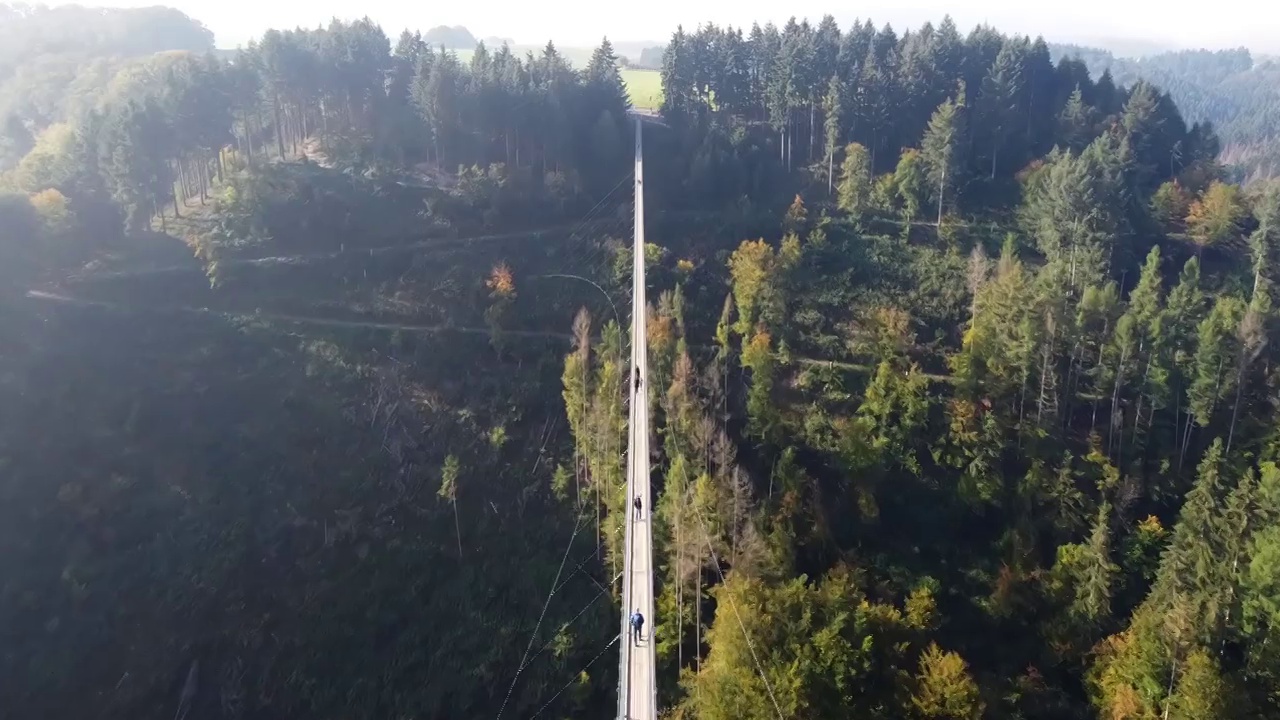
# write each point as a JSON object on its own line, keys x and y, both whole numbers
{"x": 176, "y": 125}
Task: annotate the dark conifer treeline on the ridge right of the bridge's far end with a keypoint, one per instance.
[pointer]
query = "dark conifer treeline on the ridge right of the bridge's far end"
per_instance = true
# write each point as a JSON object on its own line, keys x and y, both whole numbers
{"x": 995, "y": 103}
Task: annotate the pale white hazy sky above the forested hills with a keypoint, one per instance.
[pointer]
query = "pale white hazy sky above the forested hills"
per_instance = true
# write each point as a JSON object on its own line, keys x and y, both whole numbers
{"x": 1172, "y": 24}
